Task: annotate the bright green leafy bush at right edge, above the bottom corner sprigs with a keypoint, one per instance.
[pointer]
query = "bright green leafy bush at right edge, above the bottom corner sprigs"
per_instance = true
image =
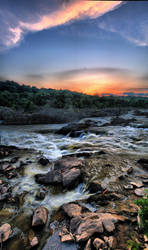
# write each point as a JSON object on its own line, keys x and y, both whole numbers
{"x": 143, "y": 212}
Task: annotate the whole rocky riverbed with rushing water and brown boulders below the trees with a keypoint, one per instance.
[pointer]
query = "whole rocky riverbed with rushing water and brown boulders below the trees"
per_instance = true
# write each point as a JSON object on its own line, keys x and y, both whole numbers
{"x": 73, "y": 186}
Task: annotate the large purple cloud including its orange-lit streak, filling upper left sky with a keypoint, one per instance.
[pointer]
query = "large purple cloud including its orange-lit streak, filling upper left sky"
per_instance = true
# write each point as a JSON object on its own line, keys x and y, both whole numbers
{"x": 14, "y": 27}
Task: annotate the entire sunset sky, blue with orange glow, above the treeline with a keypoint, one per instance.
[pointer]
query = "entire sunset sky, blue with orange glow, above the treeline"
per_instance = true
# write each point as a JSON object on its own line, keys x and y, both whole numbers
{"x": 94, "y": 47}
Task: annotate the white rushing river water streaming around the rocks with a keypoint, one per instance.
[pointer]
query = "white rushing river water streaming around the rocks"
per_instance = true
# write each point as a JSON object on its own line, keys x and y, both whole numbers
{"x": 41, "y": 140}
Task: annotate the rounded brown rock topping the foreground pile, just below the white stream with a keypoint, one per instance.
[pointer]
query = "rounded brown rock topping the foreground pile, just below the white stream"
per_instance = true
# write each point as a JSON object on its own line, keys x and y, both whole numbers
{"x": 72, "y": 209}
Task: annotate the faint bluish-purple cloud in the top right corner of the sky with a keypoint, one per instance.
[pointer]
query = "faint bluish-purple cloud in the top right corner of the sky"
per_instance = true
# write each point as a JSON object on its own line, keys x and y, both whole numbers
{"x": 130, "y": 21}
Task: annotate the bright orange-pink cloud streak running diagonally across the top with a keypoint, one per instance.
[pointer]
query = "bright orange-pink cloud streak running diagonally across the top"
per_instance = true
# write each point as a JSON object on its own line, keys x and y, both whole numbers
{"x": 75, "y": 10}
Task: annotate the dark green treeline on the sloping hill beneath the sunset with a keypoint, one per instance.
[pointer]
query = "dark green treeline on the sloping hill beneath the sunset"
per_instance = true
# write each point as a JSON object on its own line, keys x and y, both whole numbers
{"x": 29, "y": 98}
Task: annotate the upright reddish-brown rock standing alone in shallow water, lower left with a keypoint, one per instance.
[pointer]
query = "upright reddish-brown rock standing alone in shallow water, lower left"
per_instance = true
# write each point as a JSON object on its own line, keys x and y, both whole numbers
{"x": 40, "y": 216}
